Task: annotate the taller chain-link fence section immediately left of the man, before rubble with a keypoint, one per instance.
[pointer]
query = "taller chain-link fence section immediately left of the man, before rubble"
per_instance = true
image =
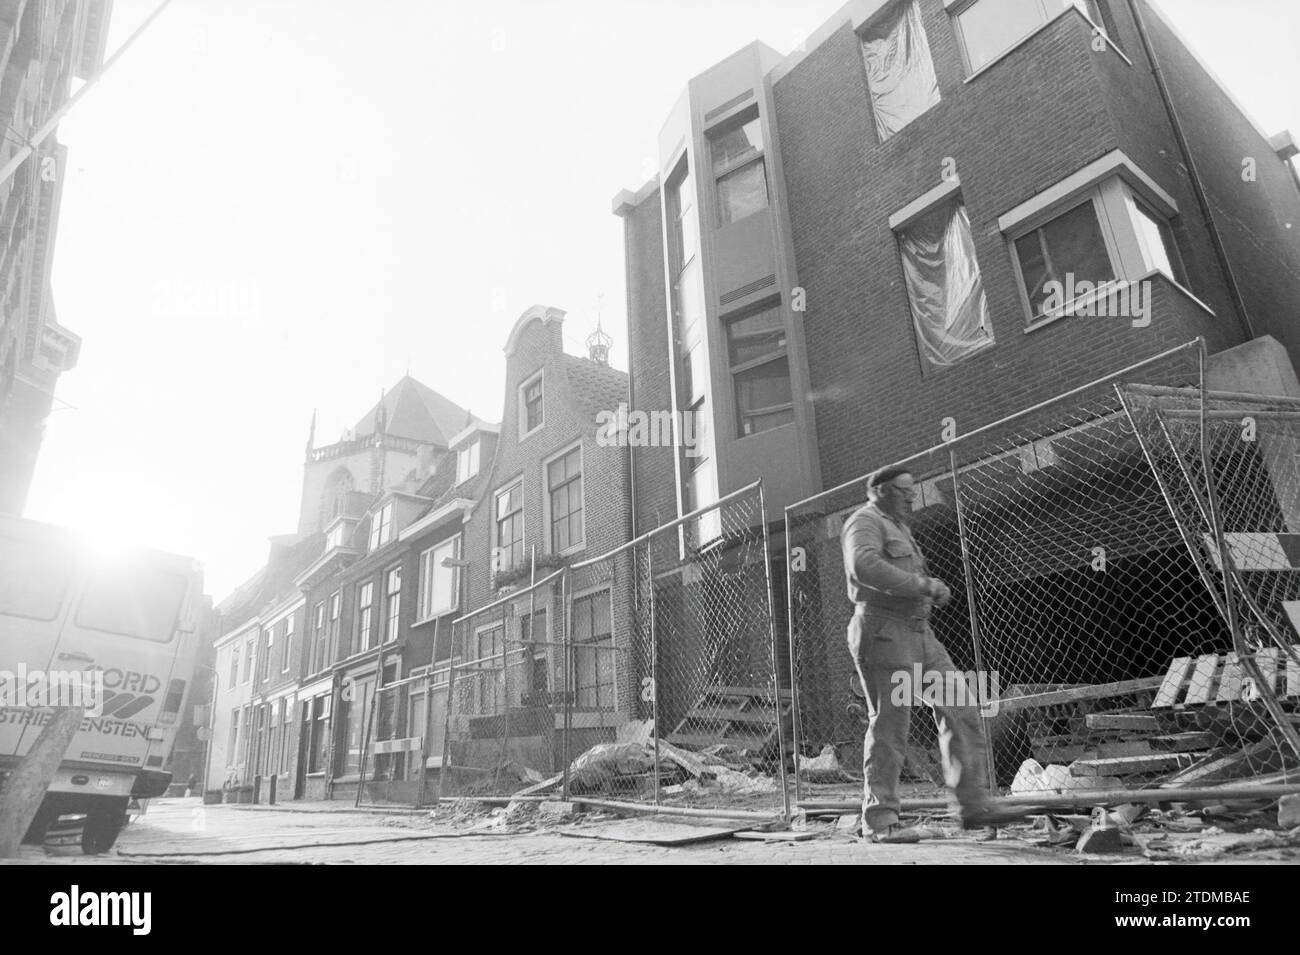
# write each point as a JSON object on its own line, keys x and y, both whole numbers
{"x": 671, "y": 646}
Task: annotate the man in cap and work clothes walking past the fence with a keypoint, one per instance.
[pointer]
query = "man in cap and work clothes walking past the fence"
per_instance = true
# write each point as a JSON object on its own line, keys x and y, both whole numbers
{"x": 890, "y": 633}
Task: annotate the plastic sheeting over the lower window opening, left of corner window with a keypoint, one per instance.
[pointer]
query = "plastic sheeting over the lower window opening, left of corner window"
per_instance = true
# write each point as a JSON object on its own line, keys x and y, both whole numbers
{"x": 944, "y": 286}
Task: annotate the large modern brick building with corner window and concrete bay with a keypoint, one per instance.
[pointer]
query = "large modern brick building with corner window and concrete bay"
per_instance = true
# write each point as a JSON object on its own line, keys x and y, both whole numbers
{"x": 800, "y": 197}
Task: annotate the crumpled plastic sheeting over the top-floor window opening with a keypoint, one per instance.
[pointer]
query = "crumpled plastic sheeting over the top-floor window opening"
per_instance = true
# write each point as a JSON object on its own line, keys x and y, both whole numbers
{"x": 900, "y": 73}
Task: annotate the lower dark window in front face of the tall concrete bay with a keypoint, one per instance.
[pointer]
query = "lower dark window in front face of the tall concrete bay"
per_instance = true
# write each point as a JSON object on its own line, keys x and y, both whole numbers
{"x": 756, "y": 350}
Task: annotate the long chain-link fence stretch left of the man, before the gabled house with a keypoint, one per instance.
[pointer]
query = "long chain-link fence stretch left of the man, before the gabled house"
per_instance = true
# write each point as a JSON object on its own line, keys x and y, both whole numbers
{"x": 645, "y": 675}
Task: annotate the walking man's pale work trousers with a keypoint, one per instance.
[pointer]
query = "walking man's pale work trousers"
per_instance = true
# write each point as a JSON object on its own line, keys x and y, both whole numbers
{"x": 883, "y": 648}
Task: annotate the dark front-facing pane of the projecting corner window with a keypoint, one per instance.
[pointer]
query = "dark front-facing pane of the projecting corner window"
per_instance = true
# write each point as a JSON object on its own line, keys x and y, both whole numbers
{"x": 1068, "y": 250}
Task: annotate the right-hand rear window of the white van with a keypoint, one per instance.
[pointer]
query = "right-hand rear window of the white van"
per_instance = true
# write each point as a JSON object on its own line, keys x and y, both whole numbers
{"x": 133, "y": 601}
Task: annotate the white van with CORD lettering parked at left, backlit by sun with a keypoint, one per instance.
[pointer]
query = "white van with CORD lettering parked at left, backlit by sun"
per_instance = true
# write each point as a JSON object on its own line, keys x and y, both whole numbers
{"x": 123, "y": 626}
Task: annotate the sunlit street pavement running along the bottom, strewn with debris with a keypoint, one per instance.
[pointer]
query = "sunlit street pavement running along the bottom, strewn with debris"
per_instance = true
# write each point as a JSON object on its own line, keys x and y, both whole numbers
{"x": 187, "y": 832}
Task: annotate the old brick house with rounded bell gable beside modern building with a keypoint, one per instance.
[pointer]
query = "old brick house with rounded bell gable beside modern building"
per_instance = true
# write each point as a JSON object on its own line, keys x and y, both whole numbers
{"x": 554, "y": 493}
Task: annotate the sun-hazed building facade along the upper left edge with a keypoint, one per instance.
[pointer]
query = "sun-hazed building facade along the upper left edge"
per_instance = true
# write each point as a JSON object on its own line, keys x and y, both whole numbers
{"x": 44, "y": 45}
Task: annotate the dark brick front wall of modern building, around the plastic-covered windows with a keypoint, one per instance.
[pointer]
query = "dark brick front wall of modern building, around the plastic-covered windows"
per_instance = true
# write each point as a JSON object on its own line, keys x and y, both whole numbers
{"x": 1026, "y": 123}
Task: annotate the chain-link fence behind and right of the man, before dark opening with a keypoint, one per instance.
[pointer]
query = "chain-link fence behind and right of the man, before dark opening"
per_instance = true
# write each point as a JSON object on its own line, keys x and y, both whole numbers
{"x": 1078, "y": 541}
